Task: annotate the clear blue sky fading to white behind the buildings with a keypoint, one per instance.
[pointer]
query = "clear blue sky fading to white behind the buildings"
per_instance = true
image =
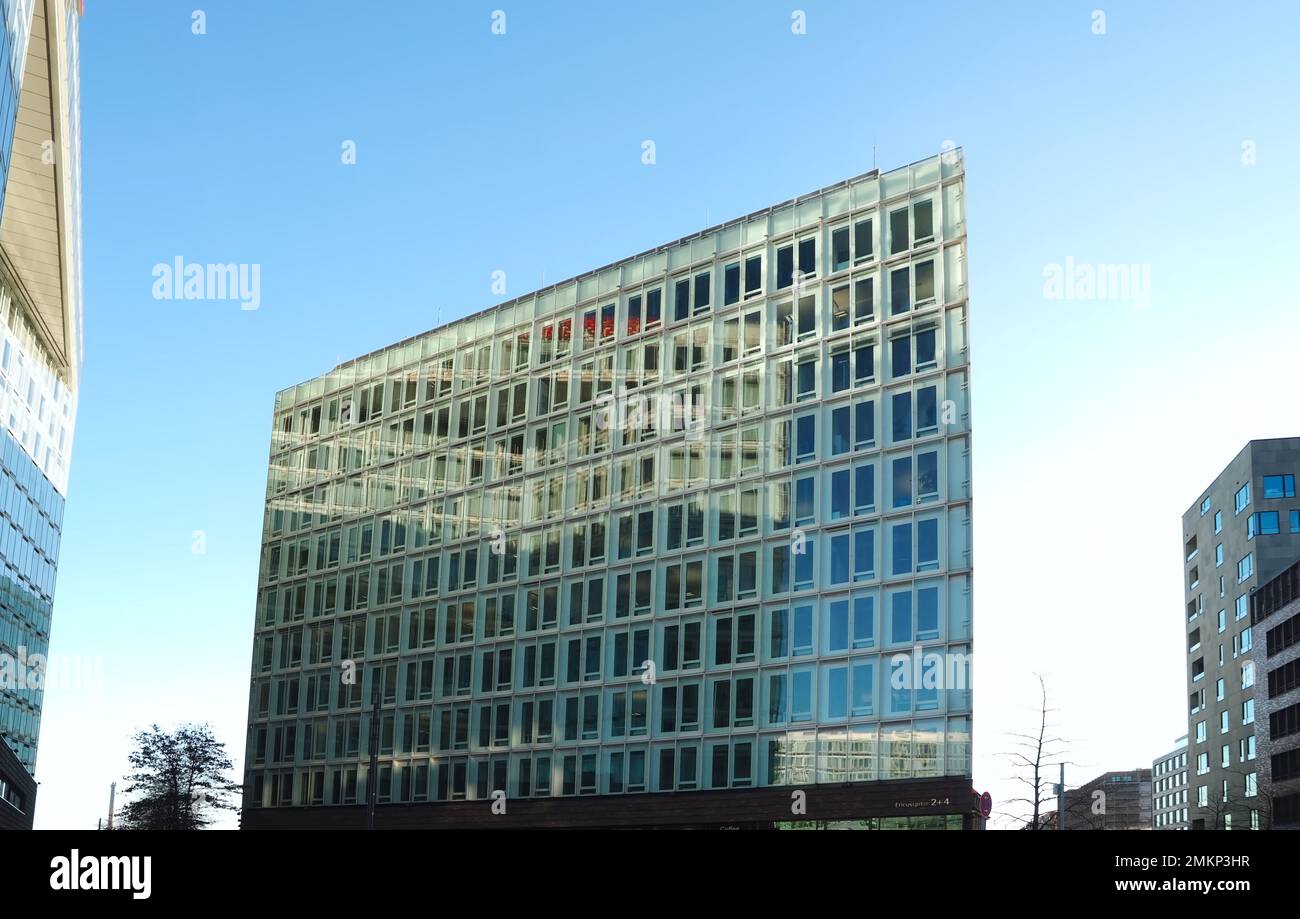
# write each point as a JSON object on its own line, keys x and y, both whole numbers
{"x": 1097, "y": 424}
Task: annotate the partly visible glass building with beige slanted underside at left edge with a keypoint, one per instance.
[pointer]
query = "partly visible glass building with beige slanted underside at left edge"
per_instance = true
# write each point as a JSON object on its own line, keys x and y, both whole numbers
{"x": 41, "y": 301}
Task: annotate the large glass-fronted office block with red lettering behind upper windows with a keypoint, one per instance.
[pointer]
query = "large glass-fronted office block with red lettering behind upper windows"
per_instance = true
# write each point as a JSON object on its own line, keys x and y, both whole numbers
{"x": 695, "y": 522}
